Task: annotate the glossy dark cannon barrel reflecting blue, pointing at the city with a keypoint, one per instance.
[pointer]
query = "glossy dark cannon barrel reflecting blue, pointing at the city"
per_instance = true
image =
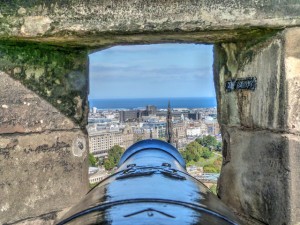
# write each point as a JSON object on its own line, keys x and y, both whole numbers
{"x": 151, "y": 186}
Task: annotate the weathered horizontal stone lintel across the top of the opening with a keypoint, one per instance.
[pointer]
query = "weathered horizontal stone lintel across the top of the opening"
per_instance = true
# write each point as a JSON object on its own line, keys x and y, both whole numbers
{"x": 99, "y": 23}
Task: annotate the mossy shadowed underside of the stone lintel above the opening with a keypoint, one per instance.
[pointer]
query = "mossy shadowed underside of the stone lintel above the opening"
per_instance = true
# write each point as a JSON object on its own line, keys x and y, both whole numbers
{"x": 97, "y": 41}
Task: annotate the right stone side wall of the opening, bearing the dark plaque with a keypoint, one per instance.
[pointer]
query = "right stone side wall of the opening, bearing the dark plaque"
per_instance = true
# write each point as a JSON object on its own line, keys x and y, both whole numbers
{"x": 261, "y": 127}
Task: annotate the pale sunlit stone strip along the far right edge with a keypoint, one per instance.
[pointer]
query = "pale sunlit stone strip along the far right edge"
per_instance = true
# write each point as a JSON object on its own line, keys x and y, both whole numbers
{"x": 292, "y": 71}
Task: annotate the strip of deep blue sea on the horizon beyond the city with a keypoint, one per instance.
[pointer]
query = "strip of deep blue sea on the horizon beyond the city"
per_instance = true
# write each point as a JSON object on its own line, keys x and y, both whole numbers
{"x": 161, "y": 103}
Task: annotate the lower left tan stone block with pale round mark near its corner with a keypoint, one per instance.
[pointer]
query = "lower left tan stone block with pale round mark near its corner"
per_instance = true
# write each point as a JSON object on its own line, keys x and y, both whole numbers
{"x": 40, "y": 173}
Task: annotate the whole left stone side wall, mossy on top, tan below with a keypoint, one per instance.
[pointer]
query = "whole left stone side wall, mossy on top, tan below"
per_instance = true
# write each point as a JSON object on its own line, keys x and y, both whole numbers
{"x": 43, "y": 143}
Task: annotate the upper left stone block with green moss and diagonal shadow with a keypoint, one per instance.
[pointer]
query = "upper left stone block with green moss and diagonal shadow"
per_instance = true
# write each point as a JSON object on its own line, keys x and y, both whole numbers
{"x": 56, "y": 75}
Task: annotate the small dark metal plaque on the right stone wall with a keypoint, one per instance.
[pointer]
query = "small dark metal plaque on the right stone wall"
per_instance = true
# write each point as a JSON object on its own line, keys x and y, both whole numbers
{"x": 248, "y": 83}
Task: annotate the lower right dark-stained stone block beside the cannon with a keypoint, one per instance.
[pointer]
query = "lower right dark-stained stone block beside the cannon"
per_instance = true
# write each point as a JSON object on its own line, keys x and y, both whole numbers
{"x": 257, "y": 178}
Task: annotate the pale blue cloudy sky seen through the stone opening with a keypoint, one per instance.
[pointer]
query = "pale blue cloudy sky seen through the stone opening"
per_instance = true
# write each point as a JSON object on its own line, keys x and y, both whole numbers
{"x": 152, "y": 71}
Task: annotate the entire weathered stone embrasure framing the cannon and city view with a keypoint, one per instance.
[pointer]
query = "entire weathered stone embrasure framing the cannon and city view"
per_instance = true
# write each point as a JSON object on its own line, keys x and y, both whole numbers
{"x": 260, "y": 175}
